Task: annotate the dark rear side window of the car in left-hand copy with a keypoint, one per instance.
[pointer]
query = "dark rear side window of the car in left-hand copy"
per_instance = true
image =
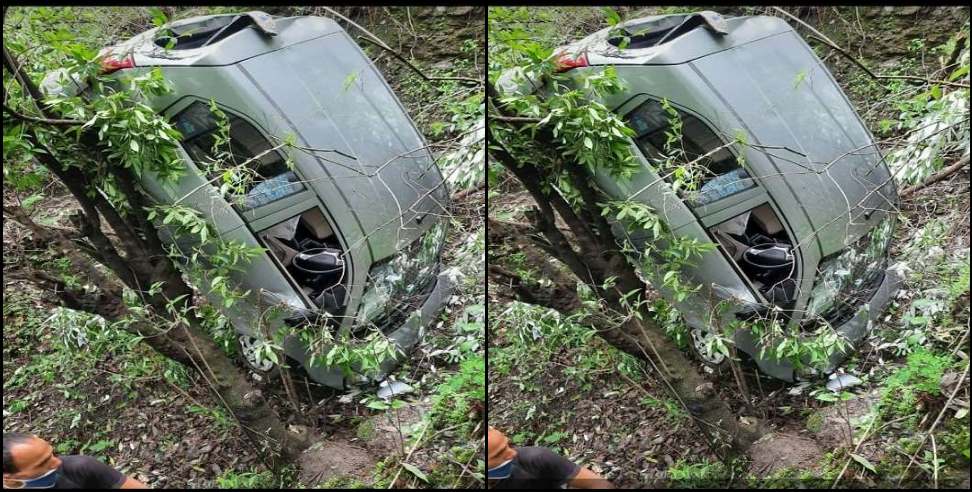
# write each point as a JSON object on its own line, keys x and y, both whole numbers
{"x": 272, "y": 179}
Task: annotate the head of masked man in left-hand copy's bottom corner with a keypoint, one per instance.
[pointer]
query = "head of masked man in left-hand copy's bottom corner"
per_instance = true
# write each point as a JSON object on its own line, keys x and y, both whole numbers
{"x": 28, "y": 462}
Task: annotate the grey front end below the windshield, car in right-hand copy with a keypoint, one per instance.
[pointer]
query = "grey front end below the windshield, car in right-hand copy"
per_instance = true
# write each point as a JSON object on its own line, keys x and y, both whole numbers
{"x": 854, "y": 330}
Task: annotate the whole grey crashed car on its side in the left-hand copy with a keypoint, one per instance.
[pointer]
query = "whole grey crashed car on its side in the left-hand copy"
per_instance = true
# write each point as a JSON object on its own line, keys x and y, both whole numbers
{"x": 351, "y": 216}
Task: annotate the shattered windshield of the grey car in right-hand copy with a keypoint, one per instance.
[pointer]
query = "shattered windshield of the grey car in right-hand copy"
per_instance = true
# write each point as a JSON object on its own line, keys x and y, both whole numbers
{"x": 850, "y": 278}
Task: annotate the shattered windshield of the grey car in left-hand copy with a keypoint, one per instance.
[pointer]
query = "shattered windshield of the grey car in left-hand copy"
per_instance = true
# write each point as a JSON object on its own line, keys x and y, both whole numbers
{"x": 393, "y": 283}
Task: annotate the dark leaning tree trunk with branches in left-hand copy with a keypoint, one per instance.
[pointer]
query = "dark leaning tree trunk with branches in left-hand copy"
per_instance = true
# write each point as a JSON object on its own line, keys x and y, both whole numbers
{"x": 140, "y": 260}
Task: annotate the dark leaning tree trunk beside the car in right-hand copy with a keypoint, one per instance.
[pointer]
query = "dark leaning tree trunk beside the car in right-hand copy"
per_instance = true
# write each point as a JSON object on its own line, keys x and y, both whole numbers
{"x": 591, "y": 253}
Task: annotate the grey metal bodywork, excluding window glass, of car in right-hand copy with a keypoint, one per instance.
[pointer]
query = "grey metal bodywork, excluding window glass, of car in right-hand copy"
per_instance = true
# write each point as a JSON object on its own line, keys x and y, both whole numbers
{"x": 815, "y": 164}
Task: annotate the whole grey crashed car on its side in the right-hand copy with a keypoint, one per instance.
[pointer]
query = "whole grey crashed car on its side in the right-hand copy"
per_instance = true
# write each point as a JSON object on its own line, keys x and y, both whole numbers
{"x": 795, "y": 193}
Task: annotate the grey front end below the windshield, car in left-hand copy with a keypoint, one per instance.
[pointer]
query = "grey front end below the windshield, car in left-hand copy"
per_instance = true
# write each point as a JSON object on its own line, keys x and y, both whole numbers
{"x": 405, "y": 337}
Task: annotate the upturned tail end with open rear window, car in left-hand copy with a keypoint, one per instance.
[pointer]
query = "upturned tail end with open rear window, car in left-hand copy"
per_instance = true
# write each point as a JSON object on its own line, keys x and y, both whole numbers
{"x": 216, "y": 40}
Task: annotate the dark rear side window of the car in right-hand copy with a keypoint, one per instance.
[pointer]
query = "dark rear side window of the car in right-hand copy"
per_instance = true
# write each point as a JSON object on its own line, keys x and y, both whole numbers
{"x": 719, "y": 174}
